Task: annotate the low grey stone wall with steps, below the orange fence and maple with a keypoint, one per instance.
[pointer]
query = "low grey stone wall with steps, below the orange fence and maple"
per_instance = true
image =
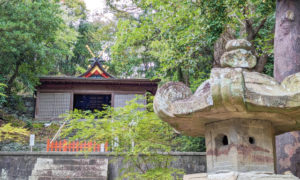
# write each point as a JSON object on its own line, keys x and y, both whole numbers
{"x": 66, "y": 165}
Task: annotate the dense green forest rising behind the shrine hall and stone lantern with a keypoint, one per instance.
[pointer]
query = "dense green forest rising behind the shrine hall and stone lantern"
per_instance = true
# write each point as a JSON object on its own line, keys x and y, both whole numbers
{"x": 172, "y": 40}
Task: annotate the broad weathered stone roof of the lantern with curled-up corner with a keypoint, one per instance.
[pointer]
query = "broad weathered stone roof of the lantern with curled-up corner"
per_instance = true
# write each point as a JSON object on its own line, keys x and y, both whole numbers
{"x": 231, "y": 93}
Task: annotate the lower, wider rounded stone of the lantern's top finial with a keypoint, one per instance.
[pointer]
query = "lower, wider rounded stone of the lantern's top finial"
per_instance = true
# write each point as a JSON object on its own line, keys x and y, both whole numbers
{"x": 239, "y": 58}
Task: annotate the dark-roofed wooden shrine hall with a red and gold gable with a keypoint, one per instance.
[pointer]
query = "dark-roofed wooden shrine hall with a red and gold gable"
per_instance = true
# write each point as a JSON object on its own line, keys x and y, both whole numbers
{"x": 91, "y": 90}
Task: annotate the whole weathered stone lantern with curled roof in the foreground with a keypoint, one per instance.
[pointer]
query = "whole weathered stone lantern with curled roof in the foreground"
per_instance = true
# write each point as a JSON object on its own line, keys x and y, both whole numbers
{"x": 238, "y": 111}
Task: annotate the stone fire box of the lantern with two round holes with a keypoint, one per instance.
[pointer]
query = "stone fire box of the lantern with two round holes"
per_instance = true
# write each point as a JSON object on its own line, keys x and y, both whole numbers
{"x": 239, "y": 145}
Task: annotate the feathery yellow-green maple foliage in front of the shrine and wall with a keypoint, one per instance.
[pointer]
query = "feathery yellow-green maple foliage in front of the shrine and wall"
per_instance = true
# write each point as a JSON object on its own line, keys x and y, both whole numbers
{"x": 136, "y": 134}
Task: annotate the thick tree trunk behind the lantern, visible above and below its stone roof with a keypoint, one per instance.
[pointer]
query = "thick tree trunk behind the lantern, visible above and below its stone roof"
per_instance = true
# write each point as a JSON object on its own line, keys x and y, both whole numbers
{"x": 287, "y": 62}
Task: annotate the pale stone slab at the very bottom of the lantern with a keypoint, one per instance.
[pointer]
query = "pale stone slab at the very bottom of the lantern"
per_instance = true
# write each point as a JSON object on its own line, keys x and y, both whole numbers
{"x": 239, "y": 176}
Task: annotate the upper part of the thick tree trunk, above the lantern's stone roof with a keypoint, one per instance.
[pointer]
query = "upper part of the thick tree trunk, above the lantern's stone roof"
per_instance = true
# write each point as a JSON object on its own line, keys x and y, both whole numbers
{"x": 287, "y": 39}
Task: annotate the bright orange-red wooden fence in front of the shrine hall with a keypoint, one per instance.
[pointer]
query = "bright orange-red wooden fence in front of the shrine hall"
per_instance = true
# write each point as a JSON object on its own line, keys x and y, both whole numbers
{"x": 76, "y": 146}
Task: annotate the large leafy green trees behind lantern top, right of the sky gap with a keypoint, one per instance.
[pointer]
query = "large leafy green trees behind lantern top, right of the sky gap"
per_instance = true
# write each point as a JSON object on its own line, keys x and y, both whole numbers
{"x": 182, "y": 40}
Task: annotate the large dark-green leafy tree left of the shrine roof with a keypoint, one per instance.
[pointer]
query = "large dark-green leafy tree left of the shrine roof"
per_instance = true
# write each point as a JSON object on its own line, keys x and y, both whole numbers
{"x": 33, "y": 35}
